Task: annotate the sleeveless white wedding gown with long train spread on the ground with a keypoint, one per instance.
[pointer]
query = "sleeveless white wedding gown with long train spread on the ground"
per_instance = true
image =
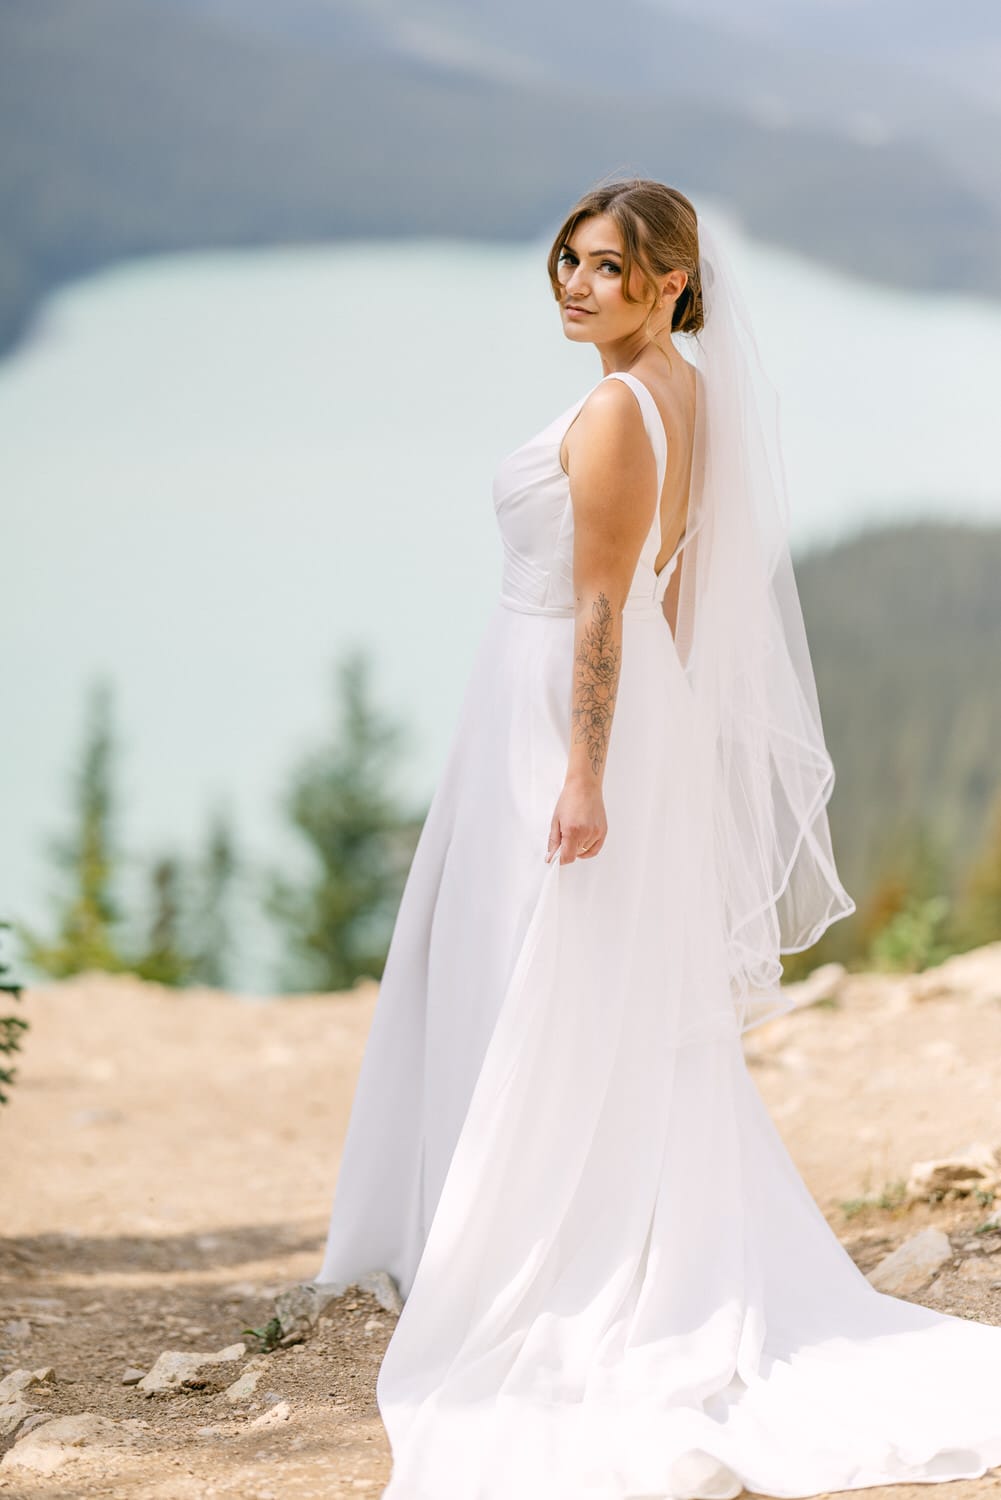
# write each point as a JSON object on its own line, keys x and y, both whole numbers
{"x": 618, "y": 1286}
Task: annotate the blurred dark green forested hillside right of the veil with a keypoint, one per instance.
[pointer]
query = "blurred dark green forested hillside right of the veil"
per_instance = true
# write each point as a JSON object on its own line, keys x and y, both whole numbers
{"x": 906, "y": 632}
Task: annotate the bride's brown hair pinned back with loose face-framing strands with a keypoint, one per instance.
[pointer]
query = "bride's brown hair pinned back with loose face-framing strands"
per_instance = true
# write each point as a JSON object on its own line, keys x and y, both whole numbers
{"x": 660, "y": 230}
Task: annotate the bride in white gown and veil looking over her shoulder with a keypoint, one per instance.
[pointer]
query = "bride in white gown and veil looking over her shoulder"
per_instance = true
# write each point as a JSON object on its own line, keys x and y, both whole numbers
{"x": 616, "y": 1285}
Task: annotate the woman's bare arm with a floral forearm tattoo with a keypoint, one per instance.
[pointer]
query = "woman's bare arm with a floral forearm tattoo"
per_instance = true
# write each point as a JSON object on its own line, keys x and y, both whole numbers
{"x": 613, "y": 487}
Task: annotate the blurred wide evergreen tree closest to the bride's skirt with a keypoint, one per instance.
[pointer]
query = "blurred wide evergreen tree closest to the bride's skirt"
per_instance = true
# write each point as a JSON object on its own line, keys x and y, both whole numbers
{"x": 337, "y": 926}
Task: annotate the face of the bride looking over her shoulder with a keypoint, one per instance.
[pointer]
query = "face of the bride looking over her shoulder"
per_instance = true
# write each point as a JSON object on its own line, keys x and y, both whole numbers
{"x": 591, "y": 274}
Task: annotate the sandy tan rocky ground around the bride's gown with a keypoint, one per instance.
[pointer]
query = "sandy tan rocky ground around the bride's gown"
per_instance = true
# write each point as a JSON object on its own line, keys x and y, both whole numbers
{"x": 169, "y": 1163}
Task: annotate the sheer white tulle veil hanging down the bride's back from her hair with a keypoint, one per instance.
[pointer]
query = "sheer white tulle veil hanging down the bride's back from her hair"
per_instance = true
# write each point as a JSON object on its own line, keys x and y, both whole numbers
{"x": 742, "y": 640}
